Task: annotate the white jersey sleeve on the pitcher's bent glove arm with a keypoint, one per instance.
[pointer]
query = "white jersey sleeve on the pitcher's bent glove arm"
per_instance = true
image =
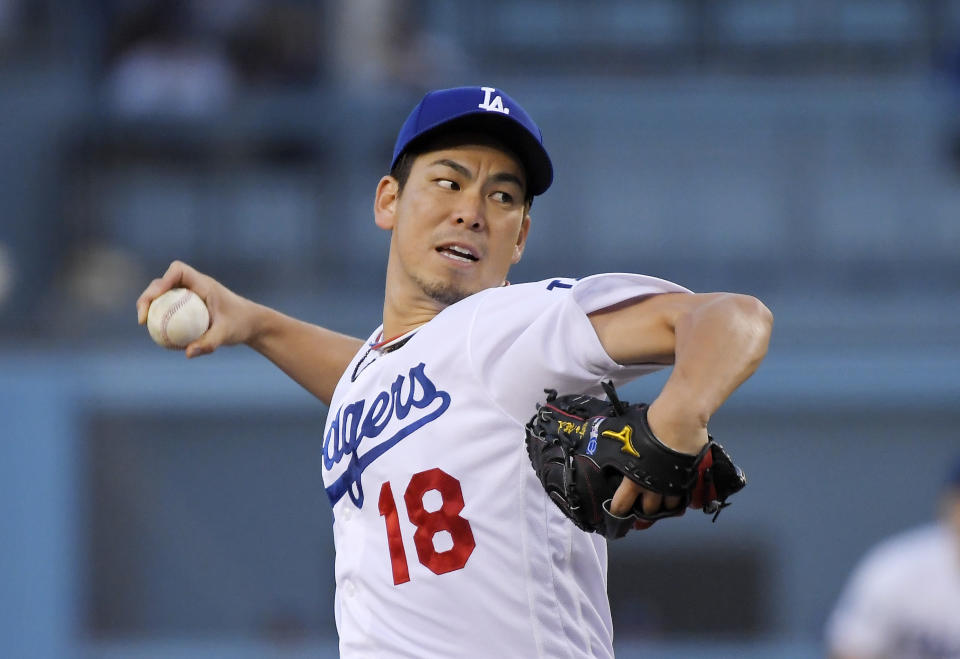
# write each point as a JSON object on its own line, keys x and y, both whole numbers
{"x": 538, "y": 336}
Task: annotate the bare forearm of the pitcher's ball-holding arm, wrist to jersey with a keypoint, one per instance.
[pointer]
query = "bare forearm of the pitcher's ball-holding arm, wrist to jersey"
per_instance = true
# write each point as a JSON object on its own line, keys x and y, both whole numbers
{"x": 313, "y": 356}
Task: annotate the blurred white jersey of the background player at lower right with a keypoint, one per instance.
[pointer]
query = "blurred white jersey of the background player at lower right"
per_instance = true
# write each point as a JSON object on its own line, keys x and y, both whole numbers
{"x": 903, "y": 600}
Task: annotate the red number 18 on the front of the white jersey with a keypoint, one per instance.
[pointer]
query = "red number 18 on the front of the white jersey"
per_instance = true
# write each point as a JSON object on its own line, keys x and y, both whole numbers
{"x": 428, "y": 523}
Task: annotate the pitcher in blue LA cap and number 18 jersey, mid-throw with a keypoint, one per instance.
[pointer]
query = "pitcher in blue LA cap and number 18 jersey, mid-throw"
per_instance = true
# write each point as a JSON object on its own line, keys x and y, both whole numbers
{"x": 447, "y": 545}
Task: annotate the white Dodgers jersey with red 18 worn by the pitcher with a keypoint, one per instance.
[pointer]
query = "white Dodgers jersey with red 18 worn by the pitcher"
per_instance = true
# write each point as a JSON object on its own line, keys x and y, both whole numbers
{"x": 446, "y": 544}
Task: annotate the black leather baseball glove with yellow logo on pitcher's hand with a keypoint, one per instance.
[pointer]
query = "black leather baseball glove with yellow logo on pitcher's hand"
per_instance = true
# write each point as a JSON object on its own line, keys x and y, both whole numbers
{"x": 581, "y": 447}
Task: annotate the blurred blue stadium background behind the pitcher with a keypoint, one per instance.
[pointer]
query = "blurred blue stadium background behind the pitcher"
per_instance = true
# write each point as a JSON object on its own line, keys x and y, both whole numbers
{"x": 805, "y": 151}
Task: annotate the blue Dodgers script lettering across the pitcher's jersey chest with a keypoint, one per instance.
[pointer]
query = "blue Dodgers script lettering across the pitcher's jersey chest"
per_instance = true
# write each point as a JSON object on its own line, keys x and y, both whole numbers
{"x": 355, "y": 422}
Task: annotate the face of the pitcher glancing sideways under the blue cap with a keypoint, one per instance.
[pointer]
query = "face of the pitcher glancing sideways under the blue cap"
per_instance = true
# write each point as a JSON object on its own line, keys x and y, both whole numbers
{"x": 459, "y": 223}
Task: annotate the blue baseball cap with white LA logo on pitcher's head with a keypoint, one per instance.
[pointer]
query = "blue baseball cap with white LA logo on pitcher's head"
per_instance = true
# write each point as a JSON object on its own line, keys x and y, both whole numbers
{"x": 484, "y": 110}
